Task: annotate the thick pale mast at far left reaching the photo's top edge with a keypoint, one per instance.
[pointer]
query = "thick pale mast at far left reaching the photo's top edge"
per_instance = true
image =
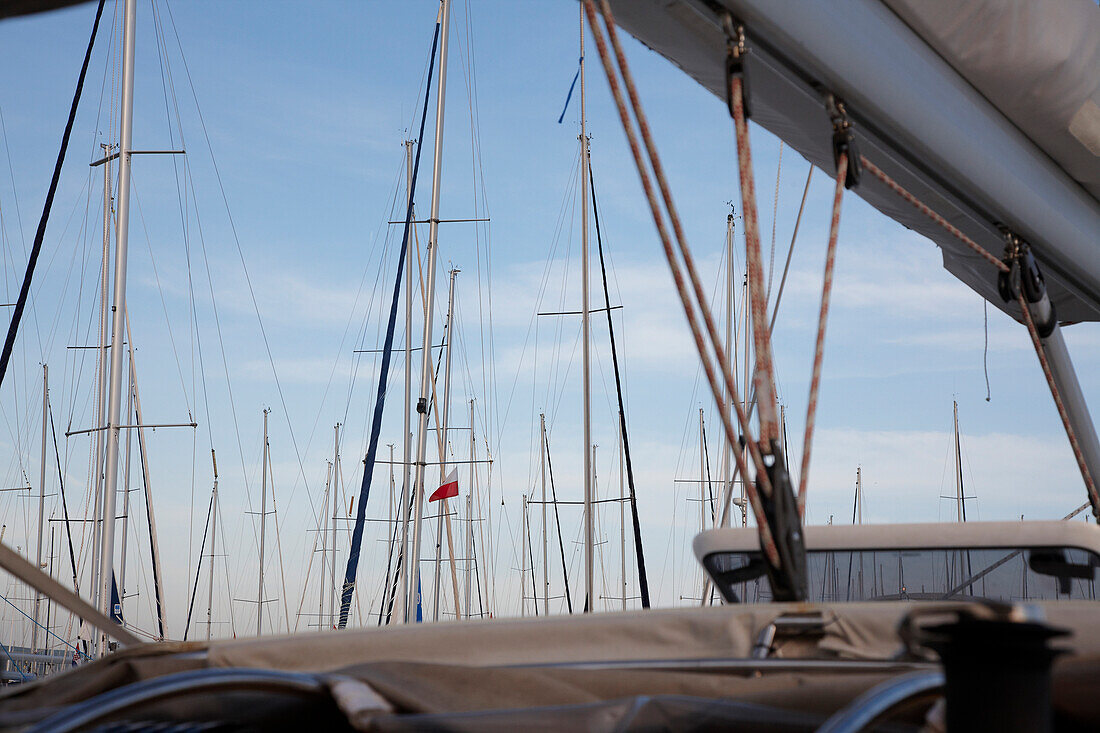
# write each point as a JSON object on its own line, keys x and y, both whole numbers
{"x": 115, "y": 397}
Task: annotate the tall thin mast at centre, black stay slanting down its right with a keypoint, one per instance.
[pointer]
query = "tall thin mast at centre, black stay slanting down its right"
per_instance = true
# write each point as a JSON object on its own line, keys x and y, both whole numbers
{"x": 586, "y": 357}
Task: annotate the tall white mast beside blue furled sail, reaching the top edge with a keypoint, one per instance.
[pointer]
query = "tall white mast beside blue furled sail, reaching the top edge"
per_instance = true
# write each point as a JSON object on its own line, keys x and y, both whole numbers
{"x": 426, "y": 377}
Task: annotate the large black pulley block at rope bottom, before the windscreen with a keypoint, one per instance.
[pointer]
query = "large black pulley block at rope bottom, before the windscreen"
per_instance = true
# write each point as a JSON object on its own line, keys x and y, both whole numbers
{"x": 782, "y": 510}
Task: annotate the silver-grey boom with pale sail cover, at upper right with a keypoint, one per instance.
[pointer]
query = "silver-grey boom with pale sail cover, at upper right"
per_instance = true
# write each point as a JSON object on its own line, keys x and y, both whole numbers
{"x": 987, "y": 111}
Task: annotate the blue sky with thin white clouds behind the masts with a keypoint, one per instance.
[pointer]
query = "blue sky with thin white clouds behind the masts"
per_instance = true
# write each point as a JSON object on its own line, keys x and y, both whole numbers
{"x": 306, "y": 107}
